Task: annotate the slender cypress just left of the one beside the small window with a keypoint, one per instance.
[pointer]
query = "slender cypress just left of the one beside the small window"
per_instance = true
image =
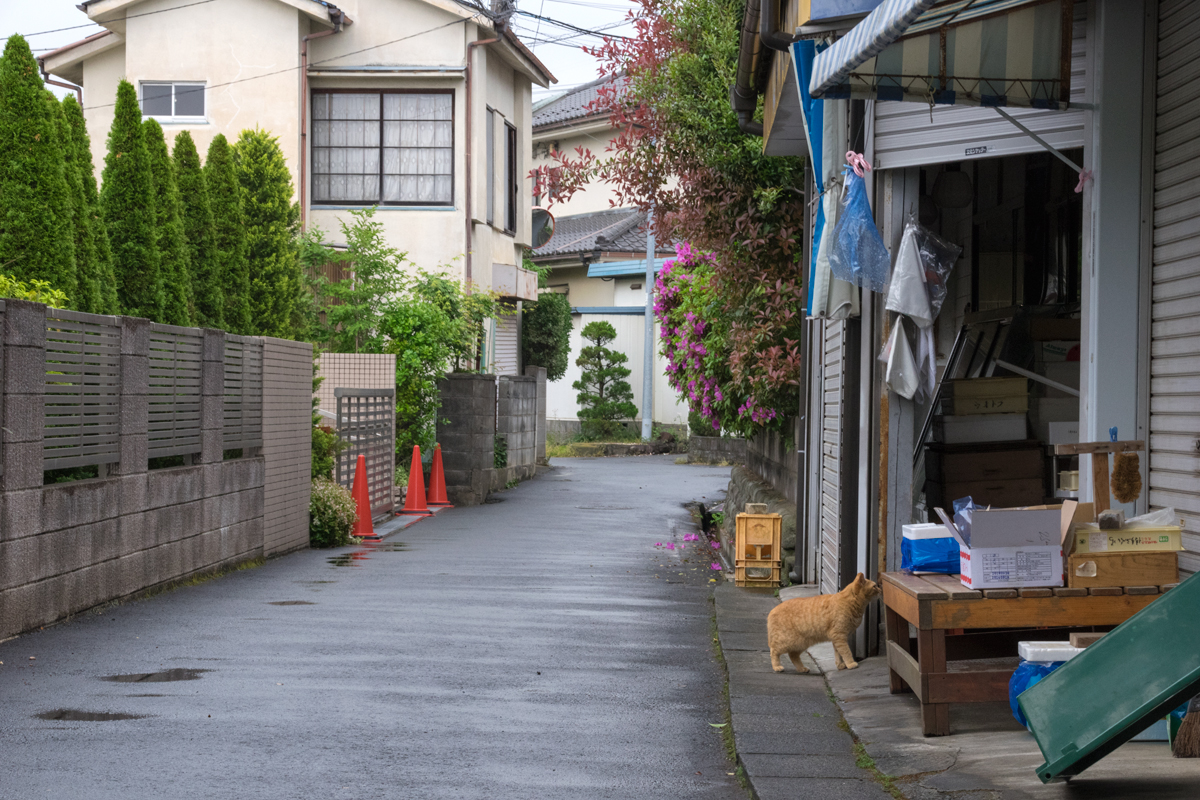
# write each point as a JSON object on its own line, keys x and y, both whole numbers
{"x": 94, "y": 258}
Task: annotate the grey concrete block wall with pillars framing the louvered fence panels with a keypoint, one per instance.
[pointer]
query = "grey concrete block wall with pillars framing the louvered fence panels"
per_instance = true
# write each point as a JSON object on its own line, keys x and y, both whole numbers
{"x": 69, "y": 548}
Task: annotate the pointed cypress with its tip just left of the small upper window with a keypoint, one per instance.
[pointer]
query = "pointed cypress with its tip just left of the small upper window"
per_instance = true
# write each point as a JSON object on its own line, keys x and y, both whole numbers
{"x": 128, "y": 201}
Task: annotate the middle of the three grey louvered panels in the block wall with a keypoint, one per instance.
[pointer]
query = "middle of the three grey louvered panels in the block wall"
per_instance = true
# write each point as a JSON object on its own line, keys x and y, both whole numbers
{"x": 175, "y": 371}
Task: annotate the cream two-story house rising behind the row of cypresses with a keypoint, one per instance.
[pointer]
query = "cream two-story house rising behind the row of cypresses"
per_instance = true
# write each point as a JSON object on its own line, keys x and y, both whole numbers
{"x": 419, "y": 107}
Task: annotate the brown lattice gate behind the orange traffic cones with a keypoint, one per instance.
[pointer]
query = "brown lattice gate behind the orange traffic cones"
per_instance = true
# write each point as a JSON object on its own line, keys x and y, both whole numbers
{"x": 367, "y": 423}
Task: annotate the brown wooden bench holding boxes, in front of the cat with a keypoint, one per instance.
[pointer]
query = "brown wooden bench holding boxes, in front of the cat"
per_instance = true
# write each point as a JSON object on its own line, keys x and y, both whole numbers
{"x": 982, "y": 627}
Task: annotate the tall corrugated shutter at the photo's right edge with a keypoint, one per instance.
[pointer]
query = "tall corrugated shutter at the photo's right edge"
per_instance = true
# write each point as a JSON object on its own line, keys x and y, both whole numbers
{"x": 1175, "y": 311}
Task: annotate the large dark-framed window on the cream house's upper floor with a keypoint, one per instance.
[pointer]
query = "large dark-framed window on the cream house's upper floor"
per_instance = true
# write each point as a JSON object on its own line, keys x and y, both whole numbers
{"x": 382, "y": 148}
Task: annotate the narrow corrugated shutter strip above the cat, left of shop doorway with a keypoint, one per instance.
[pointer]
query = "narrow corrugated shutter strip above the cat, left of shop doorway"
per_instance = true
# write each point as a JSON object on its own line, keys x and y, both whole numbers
{"x": 833, "y": 411}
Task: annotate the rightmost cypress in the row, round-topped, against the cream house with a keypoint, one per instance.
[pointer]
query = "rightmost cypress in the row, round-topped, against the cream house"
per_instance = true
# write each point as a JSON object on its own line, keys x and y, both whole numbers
{"x": 272, "y": 222}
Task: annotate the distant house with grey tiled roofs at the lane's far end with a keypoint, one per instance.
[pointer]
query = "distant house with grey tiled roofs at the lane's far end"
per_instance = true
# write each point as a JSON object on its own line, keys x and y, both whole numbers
{"x": 598, "y": 258}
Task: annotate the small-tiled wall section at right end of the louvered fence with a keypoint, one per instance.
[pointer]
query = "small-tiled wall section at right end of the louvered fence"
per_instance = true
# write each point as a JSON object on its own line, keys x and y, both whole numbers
{"x": 287, "y": 444}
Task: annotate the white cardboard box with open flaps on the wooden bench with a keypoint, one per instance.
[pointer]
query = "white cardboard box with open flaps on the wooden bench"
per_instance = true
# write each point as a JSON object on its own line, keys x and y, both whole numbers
{"x": 1011, "y": 549}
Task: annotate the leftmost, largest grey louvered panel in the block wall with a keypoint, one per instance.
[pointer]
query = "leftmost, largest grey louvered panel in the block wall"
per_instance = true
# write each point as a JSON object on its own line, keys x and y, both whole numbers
{"x": 83, "y": 389}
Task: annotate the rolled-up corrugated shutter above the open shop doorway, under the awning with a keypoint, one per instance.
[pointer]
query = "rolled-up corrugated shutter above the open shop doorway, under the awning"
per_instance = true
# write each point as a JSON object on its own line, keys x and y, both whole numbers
{"x": 907, "y": 137}
